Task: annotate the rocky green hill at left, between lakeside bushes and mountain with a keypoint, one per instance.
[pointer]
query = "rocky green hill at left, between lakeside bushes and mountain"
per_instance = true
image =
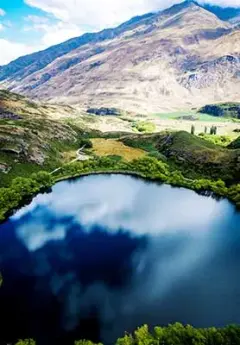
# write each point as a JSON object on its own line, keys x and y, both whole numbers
{"x": 29, "y": 139}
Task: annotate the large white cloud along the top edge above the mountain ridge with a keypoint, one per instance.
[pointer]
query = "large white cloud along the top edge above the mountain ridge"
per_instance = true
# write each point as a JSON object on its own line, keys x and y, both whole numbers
{"x": 99, "y": 14}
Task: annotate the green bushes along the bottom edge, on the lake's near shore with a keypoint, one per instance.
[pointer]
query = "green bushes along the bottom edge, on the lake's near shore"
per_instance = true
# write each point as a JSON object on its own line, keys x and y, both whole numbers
{"x": 175, "y": 334}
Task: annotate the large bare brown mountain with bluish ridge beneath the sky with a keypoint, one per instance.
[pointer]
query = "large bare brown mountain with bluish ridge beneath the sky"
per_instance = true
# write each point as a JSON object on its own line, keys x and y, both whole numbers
{"x": 181, "y": 57}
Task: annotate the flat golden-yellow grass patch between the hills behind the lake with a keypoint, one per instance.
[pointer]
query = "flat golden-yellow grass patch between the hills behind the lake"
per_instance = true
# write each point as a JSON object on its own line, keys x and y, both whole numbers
{"x": 111, "y": 147}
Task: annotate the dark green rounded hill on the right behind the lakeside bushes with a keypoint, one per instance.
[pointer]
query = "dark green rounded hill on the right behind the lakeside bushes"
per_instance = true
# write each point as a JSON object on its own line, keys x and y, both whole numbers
{"x": 194, "y": 156}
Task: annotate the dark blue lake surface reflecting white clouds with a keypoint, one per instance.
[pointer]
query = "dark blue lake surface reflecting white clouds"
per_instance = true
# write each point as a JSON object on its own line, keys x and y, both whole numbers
{"x": 104, "y": 254}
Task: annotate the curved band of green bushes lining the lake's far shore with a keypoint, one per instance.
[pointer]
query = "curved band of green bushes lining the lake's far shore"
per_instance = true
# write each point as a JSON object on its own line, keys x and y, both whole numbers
{"x": 22, "y": 189}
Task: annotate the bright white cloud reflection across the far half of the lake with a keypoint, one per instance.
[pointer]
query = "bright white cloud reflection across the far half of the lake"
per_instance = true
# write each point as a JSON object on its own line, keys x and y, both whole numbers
{"x": 118, "y": 203}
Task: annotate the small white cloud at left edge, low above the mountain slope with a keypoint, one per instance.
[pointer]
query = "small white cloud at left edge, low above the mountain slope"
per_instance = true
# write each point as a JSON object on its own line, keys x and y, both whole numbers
{"x": 11, "y": 50}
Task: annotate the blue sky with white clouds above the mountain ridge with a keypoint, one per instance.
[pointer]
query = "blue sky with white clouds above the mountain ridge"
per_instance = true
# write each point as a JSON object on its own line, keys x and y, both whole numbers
{"x": 32, "y": 25}
